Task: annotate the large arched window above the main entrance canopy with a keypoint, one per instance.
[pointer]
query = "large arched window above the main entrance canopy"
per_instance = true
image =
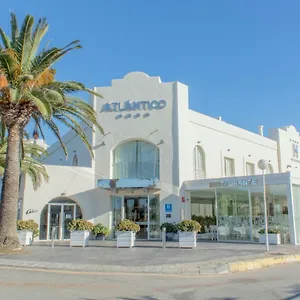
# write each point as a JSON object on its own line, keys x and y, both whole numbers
{"x": 136, "y": 159}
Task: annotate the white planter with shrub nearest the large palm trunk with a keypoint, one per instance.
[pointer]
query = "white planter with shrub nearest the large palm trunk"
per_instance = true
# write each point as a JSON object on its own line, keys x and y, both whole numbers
{"x": 27, "y": 231}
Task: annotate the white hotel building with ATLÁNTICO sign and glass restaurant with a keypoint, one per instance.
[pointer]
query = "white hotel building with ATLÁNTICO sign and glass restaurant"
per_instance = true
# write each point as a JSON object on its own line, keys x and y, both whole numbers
{"x": 160, "y": 162}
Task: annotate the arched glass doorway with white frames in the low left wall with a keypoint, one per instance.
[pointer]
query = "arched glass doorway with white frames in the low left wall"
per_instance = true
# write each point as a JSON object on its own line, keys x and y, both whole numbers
{"x": 58, "y": 215}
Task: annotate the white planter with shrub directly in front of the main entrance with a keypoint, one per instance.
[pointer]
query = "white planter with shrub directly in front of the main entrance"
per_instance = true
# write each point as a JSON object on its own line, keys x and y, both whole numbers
{"x": 125, "y": 232}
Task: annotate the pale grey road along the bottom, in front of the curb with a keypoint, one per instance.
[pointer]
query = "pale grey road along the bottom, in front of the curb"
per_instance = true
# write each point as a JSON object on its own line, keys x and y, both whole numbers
{"x": 281, "y": 282}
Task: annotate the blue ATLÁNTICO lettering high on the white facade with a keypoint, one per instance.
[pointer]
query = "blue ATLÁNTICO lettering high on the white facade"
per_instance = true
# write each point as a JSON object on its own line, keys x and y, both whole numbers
{"x": 133, "y": 106}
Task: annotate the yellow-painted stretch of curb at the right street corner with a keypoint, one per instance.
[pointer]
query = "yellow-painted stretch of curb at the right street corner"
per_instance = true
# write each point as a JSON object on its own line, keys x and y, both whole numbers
{"x": 247, "y": 265}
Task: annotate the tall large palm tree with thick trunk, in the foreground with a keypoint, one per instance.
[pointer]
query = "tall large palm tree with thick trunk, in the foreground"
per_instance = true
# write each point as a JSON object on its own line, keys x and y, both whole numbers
{"x": 30, "y": 92}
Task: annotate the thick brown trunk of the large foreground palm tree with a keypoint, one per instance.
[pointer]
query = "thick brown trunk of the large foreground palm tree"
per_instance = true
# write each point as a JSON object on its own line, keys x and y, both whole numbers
{"x": 10, "y": 190}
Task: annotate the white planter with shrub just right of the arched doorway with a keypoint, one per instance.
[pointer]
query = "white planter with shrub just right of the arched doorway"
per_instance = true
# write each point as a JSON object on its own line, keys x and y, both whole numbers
{"x": 80, "y": 232}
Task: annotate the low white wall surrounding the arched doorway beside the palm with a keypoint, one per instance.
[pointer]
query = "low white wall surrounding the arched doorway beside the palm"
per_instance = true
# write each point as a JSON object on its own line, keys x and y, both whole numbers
{"x": 75, "y": 183}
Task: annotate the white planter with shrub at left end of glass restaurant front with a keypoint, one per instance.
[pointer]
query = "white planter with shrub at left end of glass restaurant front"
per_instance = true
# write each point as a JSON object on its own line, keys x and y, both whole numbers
{"x": 188, "y": 230}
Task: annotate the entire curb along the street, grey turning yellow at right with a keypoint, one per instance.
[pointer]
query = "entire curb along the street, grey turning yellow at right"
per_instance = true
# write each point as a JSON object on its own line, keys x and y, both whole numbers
{"x": 190, "y": 269}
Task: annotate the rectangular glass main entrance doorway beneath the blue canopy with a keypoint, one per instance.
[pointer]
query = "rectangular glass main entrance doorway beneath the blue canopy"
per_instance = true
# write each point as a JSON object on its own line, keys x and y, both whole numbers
{"x": 143, "y": 210}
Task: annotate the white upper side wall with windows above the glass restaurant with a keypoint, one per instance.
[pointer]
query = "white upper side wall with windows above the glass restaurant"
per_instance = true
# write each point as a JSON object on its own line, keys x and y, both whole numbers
{"x": 219, "y": 140}
